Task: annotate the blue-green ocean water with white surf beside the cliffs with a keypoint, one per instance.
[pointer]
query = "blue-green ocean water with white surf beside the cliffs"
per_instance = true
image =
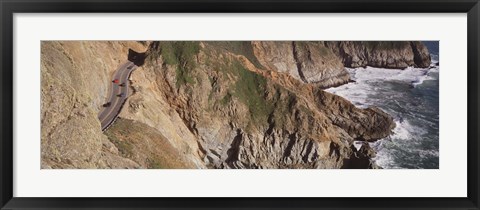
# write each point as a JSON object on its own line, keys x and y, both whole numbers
{"x": 410, "y": 96}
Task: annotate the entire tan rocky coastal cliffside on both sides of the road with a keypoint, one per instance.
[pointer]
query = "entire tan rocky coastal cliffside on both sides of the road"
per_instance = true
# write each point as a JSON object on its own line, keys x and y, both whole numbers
{"x": 210, "y": 105}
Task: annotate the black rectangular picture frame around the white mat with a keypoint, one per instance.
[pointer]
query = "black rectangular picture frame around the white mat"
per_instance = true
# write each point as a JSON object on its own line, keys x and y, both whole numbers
{"x": 10, "y": 7}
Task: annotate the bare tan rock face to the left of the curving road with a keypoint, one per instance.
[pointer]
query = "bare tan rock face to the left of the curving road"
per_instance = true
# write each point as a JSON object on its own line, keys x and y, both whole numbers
{"x": 74, "y": 82}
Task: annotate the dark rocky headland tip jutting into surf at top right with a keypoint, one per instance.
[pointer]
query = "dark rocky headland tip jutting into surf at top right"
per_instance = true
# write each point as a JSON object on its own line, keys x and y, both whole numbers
{"x": 382, "y": 54}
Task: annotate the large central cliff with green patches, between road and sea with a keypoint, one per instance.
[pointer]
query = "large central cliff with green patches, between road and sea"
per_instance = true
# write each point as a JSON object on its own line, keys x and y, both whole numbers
{"x": 241, "y": 115}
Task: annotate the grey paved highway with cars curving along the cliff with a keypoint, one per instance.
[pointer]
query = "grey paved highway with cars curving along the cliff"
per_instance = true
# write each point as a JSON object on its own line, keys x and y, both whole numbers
{"x": 117, "y": 96}
